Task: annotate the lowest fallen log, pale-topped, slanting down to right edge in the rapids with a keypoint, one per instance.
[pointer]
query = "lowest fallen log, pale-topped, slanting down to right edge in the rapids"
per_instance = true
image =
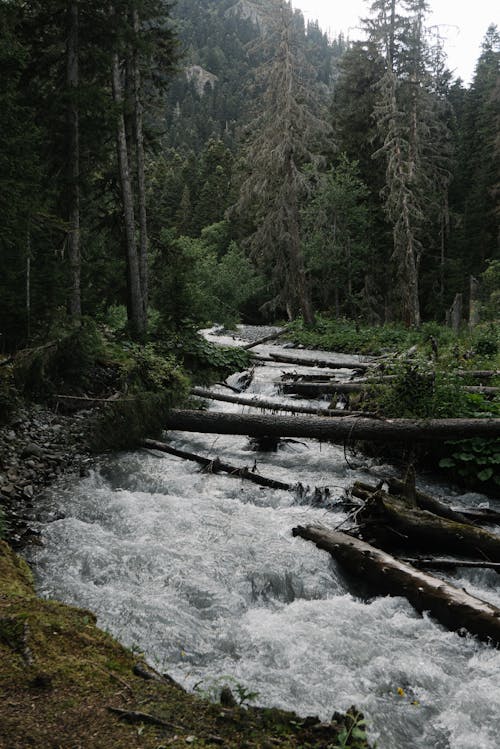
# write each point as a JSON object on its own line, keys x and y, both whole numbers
{"x": 451, "y": 606}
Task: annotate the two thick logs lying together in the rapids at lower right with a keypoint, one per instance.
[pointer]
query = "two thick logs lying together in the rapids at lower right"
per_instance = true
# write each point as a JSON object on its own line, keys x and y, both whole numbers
{"x": 390, "y": 526}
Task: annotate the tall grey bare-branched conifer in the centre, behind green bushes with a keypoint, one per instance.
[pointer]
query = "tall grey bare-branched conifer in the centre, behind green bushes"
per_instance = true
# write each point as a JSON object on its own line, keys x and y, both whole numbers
{"x": 274, "y": 184}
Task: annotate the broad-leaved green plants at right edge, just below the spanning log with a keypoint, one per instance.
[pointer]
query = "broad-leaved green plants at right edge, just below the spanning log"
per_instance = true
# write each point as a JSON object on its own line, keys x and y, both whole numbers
{"x": 476, "y": 460}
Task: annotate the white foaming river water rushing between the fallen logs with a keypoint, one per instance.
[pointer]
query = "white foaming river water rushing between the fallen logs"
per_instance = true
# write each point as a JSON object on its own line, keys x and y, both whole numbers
{"x": 202, "y": 574}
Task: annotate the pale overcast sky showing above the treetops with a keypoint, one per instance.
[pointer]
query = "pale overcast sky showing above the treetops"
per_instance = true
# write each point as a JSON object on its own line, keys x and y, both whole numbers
{"x": 463, "y": 24}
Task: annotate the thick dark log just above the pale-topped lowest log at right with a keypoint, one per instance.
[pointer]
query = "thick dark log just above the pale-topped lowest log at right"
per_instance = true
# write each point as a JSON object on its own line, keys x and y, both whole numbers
{"x": 421, "y": 528}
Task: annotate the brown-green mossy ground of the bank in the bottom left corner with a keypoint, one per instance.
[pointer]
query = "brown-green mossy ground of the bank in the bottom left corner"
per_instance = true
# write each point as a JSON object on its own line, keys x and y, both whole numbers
{"x": 60, "y": 674}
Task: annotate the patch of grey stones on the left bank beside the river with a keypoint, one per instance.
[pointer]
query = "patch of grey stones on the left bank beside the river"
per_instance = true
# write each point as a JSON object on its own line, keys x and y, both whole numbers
{"x": 36, "y": 448}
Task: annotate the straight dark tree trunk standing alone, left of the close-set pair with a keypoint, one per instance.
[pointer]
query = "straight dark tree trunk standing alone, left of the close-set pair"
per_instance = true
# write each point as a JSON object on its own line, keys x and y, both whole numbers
{"x": 72, "y": 81}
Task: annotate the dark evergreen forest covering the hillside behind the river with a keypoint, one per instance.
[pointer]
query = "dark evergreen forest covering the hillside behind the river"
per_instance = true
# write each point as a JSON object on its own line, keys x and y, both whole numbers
{"x": 218, "y": 161}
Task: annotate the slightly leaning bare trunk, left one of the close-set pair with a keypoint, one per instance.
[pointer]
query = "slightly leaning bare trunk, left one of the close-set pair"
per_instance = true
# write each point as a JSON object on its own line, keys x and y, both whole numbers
{"x": 137, "y": 316}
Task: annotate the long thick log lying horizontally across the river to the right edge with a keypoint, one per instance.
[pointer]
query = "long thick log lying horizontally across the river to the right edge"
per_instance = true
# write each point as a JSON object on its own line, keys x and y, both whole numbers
{"x": 352, "y": 427}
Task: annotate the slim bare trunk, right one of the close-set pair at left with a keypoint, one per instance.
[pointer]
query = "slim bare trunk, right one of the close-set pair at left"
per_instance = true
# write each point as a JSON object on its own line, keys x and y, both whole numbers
{"x": 141, "y": 179}
